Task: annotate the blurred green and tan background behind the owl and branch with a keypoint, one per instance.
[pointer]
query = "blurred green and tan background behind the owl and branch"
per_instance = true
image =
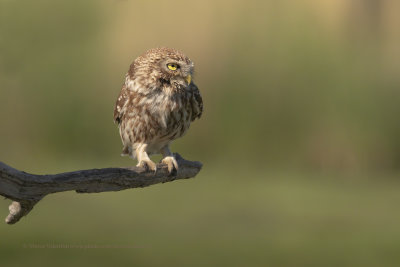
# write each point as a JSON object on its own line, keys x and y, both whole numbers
{"x": 299, "y": 138}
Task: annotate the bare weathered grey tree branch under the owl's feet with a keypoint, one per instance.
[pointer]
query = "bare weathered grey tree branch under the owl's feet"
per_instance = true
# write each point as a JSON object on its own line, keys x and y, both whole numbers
{"x": 28, "y": 189}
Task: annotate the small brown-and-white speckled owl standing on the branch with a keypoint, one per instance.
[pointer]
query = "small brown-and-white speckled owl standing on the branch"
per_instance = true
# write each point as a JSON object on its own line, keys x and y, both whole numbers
{"x": 156, "y": 105}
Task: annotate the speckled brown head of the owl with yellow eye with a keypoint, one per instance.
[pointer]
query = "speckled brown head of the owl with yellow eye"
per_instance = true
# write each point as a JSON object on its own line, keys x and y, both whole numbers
{"x": 162, "y": 68}
